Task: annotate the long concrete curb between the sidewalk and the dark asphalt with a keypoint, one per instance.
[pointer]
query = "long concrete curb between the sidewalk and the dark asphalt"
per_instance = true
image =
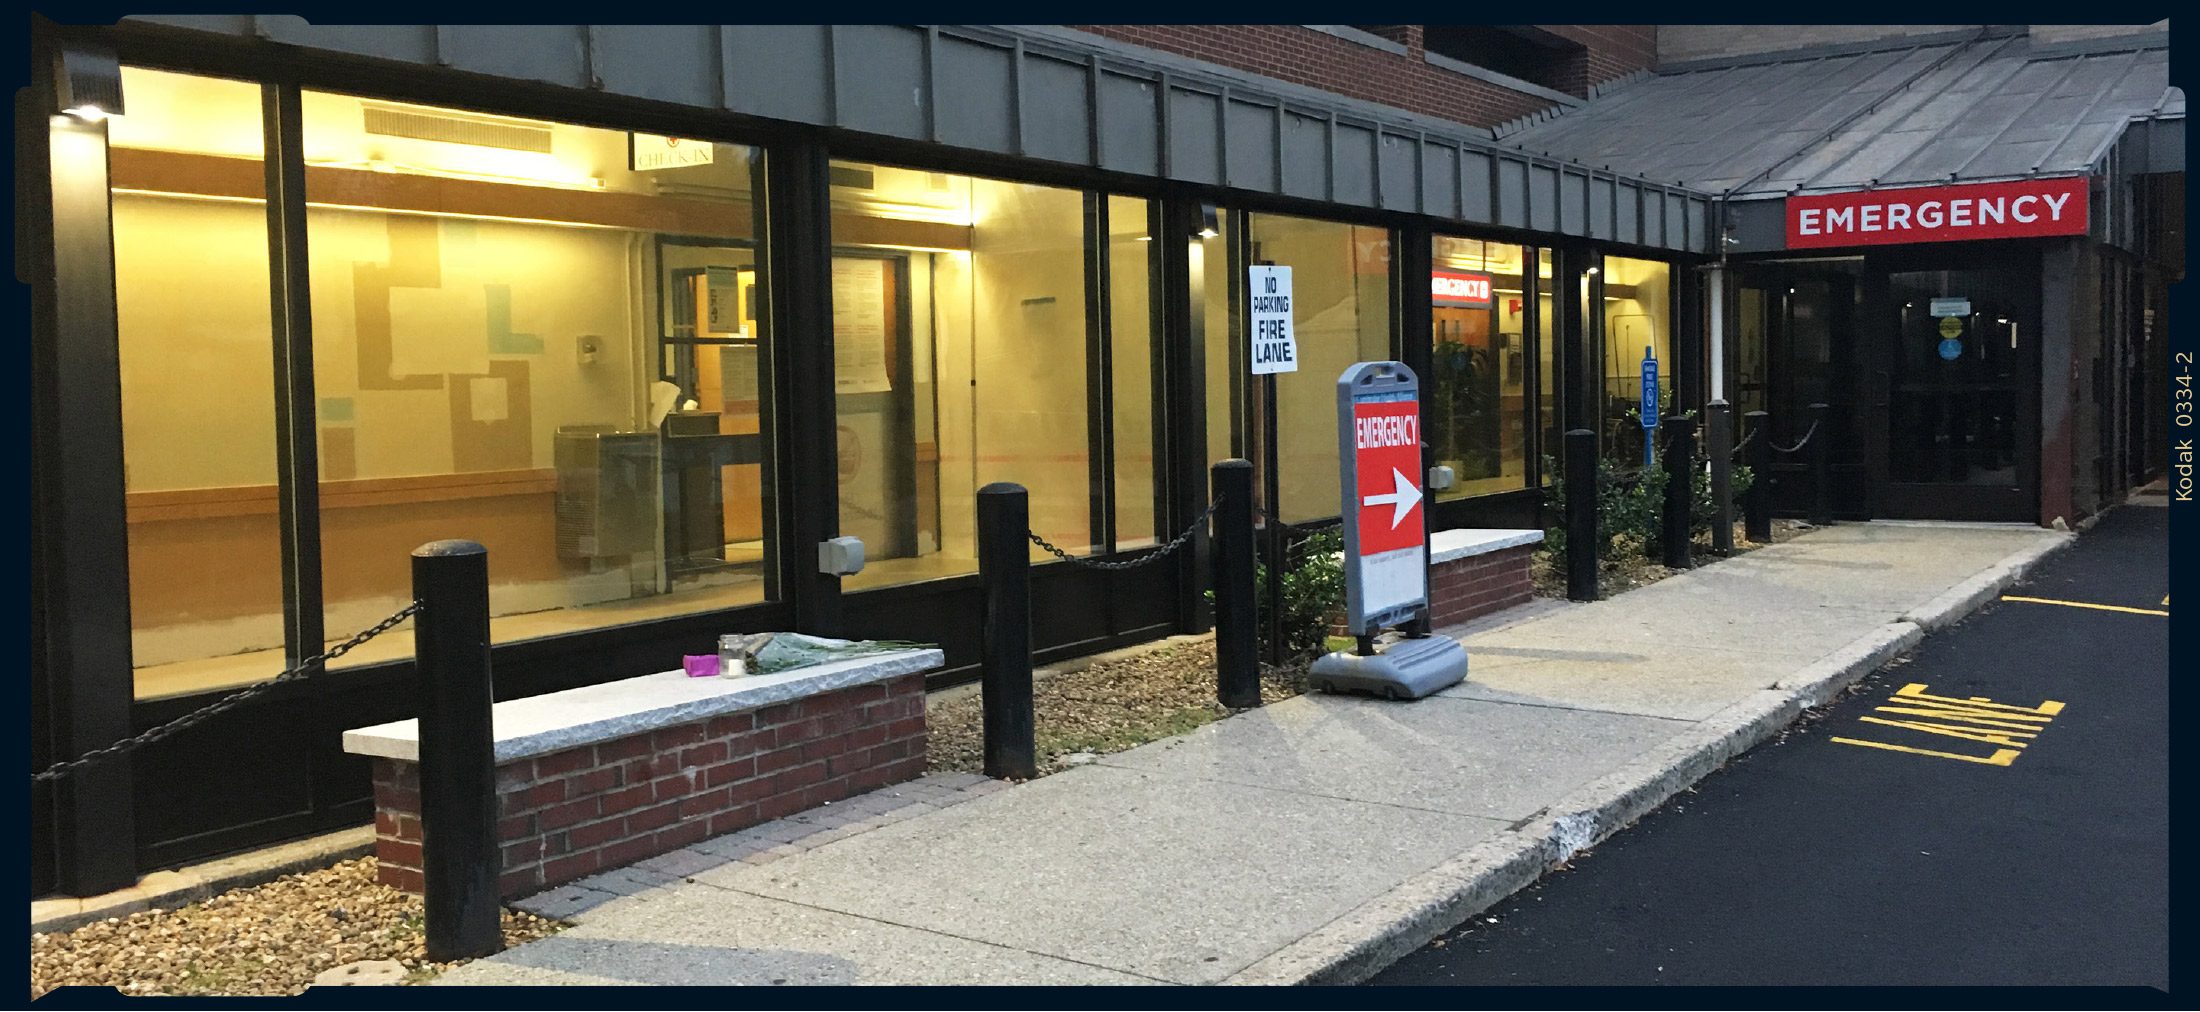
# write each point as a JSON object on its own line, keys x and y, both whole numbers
{"x": 1409, "y": 916}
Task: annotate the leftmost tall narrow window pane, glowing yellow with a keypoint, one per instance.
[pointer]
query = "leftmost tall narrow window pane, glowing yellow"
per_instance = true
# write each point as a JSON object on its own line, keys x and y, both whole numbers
{"x": 197, "y": 384}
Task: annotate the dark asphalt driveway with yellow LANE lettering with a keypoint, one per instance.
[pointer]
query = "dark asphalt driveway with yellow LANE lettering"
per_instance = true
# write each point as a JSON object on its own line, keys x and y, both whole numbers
{"x": 1966, "y": 833}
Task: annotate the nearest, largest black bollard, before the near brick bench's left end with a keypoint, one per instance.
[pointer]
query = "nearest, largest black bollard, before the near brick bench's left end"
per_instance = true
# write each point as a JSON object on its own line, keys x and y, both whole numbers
{"x": 459, "y": 780}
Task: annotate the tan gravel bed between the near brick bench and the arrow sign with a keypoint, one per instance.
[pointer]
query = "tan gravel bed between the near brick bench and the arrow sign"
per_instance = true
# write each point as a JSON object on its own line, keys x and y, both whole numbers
{"x": 1105, "y": 707}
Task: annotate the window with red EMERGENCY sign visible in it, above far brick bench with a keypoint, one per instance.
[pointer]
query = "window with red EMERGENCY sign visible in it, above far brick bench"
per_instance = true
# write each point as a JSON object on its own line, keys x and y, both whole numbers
{"x": 1475, "y": 397}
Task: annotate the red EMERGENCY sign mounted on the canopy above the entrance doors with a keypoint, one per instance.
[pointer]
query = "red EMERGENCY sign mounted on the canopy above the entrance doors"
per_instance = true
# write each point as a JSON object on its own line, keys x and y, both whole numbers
{"x": 1939, "y": 214}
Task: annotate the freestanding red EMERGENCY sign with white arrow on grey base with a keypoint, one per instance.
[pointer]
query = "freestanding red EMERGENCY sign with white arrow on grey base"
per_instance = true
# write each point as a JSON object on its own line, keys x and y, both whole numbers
{"x": 1385, "y": 516}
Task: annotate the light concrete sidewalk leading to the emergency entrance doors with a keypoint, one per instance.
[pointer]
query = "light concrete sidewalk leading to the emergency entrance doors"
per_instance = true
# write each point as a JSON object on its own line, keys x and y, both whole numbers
{"x": 1308, "y": 841}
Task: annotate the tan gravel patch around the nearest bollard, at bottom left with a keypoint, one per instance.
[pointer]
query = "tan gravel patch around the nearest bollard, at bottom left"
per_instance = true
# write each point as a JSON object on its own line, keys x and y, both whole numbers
{"x": 258, "y": 940}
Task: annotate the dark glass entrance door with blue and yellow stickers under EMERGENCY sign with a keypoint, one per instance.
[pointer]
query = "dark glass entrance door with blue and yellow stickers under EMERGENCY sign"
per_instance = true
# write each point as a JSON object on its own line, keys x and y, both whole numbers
{"x": 1959, "y": 357}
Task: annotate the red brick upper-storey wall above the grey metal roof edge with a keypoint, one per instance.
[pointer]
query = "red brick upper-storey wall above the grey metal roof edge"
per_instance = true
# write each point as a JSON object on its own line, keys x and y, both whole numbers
{"x": 1319, "y": 60}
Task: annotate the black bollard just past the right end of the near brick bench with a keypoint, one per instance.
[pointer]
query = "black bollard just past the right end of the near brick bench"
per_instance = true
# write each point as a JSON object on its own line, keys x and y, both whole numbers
{"x": 1004, "y": 564}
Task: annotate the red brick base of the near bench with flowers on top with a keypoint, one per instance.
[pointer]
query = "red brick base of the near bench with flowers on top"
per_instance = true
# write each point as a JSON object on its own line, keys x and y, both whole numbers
{"x": 573, "y": 813}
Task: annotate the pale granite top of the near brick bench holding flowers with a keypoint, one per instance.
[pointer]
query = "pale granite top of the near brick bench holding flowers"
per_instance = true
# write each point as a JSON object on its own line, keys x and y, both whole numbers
{"x": 637, "y": 705}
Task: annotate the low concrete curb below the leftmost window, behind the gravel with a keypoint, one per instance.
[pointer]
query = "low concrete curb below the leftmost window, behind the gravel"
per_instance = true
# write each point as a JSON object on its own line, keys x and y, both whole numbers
{"x": 195, "y": 883}
